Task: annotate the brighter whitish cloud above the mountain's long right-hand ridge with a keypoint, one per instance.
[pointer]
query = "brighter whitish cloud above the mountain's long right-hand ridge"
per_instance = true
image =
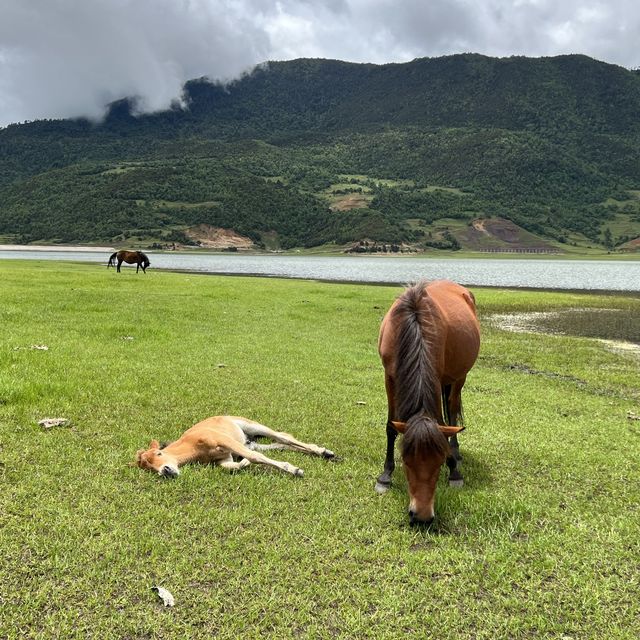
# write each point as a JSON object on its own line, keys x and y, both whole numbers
{"x": 399, "y": 30}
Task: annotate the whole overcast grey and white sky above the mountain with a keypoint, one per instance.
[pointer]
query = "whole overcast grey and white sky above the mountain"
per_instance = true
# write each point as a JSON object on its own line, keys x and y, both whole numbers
{"x": 65, "y": 58}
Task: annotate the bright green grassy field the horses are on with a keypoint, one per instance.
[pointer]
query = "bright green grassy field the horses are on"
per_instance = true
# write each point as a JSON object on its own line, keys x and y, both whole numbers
{"x": 542, "y": 542}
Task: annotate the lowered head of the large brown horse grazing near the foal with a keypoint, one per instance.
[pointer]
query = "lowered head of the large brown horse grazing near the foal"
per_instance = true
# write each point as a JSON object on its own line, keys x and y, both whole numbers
{"x": 424, "y": 448}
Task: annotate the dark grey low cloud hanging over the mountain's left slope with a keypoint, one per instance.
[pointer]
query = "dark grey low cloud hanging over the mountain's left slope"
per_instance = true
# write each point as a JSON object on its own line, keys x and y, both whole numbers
{"x": 61, "y": 58}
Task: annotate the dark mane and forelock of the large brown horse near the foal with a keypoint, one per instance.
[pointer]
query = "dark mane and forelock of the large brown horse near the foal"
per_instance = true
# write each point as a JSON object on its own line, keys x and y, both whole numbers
{"x": 416, "y": 382}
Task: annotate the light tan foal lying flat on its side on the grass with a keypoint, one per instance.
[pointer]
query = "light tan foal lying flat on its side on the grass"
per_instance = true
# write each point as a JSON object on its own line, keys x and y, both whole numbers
{"x": 217, "y": 440}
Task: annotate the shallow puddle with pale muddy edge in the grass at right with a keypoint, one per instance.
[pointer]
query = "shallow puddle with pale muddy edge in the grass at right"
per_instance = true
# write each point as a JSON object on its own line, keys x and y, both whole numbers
{"x": 617, "y": 329}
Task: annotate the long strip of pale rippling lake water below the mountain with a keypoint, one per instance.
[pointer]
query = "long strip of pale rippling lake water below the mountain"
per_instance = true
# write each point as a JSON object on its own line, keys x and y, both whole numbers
{"x": 543, "y": 274}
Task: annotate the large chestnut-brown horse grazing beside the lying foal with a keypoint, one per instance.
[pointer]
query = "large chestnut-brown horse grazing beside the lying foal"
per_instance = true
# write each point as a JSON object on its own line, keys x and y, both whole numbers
{"x": 429, "y": 340}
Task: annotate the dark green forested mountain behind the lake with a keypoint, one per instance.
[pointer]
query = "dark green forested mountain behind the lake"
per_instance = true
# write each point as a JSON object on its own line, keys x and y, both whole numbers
{"x": 311, "y": 152}
